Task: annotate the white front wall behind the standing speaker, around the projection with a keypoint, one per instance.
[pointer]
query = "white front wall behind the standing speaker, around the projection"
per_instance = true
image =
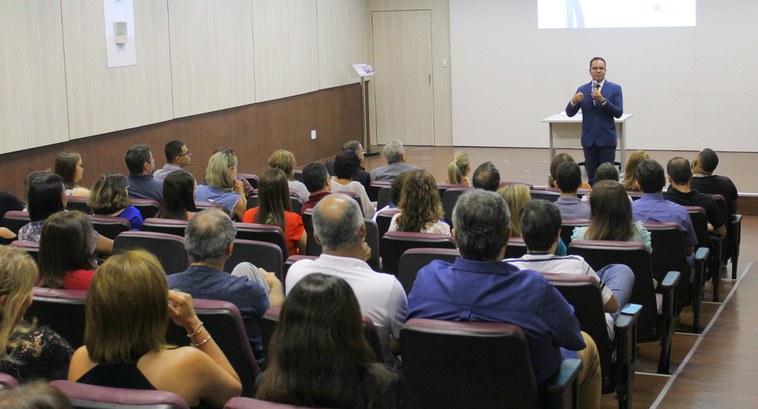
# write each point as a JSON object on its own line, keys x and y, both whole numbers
{"x": 687, "y": 87}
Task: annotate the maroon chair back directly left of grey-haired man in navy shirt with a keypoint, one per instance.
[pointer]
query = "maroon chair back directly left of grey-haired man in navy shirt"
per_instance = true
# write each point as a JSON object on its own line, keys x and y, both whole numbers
{"x": 168, "y": 248}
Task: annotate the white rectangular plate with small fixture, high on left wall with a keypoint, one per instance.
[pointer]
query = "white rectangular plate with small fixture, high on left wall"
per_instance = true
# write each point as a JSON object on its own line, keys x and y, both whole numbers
{"x": 120, "y": 55}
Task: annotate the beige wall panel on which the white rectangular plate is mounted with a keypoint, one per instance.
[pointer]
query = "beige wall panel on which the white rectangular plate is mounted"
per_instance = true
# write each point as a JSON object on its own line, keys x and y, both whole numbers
{"x": 101, "y": 99}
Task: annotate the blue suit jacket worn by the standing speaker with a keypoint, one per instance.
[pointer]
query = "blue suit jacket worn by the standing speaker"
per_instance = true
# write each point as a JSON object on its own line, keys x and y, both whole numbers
{"x": 598, "y": 124}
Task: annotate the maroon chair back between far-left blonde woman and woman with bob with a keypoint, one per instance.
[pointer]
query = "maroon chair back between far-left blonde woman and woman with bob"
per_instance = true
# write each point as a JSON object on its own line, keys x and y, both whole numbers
{"x": 61, "y": 310}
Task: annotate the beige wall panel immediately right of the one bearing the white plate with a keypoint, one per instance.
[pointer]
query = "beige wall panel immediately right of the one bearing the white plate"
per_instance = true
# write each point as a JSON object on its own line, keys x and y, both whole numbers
{"x": 211, "y": 55}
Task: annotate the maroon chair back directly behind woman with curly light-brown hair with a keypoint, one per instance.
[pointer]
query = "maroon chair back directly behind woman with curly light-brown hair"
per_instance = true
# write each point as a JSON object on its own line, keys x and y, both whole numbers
{"x": 395, "y": 243}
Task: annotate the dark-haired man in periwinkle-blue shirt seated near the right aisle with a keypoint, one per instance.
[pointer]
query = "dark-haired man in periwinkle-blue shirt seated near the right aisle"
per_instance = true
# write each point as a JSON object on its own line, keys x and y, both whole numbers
{"x": 652, "y": 207}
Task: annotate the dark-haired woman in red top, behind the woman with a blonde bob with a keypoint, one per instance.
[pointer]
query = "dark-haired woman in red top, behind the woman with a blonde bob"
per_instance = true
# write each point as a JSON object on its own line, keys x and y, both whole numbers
{"x": 67, "y": 251}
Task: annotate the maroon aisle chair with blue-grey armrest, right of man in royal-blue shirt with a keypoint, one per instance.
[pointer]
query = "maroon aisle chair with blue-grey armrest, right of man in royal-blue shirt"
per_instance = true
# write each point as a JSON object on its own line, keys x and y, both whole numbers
{"x": 617, "y": 355}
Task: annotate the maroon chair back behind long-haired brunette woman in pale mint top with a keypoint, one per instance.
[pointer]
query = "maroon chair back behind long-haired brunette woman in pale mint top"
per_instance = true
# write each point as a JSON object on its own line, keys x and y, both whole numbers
{"x": 600, "y": 253}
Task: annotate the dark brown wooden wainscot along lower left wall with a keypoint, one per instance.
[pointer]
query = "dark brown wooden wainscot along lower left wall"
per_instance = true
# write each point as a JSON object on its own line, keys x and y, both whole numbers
{"x": 253, "y": 131}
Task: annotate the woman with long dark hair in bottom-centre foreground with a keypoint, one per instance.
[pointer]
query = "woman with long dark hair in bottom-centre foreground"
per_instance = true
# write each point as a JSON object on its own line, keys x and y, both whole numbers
{"x": 319, "y": 354}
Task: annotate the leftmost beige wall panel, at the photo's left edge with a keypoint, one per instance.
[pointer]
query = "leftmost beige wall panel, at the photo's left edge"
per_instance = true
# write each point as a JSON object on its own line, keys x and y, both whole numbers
{"x": 32, "y": 77}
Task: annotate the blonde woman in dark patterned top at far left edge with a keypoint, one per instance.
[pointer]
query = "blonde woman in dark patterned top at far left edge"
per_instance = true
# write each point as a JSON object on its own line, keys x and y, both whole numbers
{"x": 27, "y": 352}
